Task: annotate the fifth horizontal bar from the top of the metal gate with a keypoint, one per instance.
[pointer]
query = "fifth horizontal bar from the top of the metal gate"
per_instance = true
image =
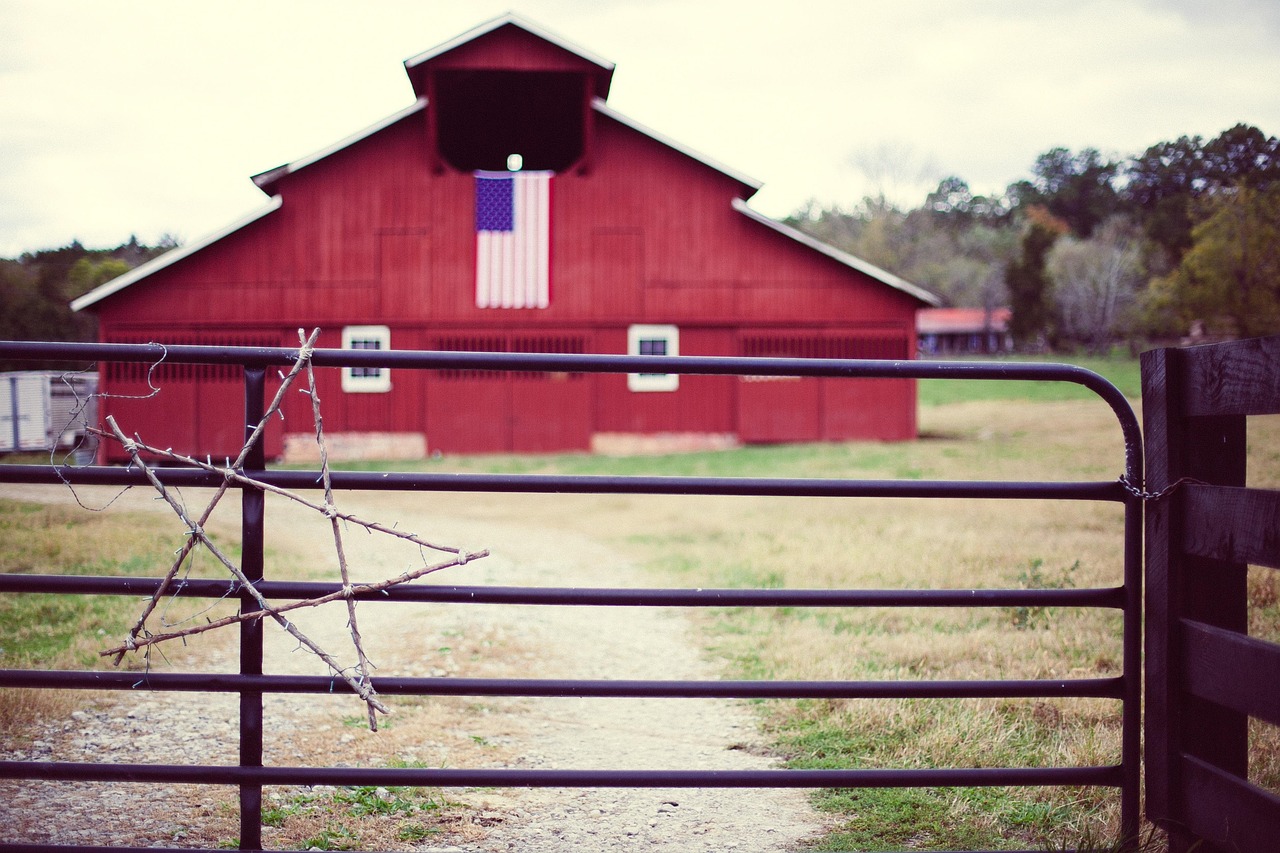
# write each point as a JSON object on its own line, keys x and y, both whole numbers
{"x": 505, "y": 778}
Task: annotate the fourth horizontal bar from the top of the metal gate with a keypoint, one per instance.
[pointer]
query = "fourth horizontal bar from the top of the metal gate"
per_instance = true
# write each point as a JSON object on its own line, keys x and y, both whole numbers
{"x": 570, "y": 688}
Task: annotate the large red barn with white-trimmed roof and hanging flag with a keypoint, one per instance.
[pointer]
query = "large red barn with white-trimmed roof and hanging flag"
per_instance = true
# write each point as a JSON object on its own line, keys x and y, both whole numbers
{"x": 511, "y": 209}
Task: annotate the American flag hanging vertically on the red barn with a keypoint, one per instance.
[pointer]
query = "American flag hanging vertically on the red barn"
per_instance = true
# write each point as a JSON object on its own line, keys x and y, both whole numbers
{"x": 514, "y": 239}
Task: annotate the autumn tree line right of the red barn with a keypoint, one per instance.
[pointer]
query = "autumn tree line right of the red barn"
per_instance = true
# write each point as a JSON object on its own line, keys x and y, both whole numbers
{"x": 1094, "y": 252}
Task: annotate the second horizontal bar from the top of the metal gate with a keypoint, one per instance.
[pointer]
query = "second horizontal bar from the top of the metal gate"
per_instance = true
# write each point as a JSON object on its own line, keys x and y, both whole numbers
{"x": 587, "y": 485}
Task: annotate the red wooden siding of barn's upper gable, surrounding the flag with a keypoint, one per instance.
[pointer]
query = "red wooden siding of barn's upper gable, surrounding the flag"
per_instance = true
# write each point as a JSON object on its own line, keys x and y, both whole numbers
{"x": 363, "y": 238}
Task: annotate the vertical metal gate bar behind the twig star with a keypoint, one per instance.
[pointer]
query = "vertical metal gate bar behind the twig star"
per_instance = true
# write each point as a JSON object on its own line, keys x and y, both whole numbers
{"x": 253, "y": 518}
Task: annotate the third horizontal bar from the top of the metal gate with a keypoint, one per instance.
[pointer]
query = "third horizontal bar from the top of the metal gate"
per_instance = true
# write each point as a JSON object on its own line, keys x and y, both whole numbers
{"x": 1103, "y": 597}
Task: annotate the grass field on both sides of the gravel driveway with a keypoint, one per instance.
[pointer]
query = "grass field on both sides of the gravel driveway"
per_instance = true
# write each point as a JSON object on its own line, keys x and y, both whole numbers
{"x": 970, "y": 431}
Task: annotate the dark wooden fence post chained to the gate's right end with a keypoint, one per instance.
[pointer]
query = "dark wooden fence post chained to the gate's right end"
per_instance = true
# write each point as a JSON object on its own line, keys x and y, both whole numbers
{"x": 1180, "y": 586}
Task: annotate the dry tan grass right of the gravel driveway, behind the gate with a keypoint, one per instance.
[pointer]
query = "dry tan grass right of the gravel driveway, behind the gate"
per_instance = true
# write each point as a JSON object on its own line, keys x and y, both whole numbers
{"x": 909, "y": 544}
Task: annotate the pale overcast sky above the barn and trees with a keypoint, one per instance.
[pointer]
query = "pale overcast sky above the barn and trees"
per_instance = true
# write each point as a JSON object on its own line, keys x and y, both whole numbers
{"x": 143, "y": 117}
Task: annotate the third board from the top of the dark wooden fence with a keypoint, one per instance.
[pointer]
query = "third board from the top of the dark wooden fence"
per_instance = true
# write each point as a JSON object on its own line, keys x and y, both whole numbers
{"x": 1233, "y": 670}
